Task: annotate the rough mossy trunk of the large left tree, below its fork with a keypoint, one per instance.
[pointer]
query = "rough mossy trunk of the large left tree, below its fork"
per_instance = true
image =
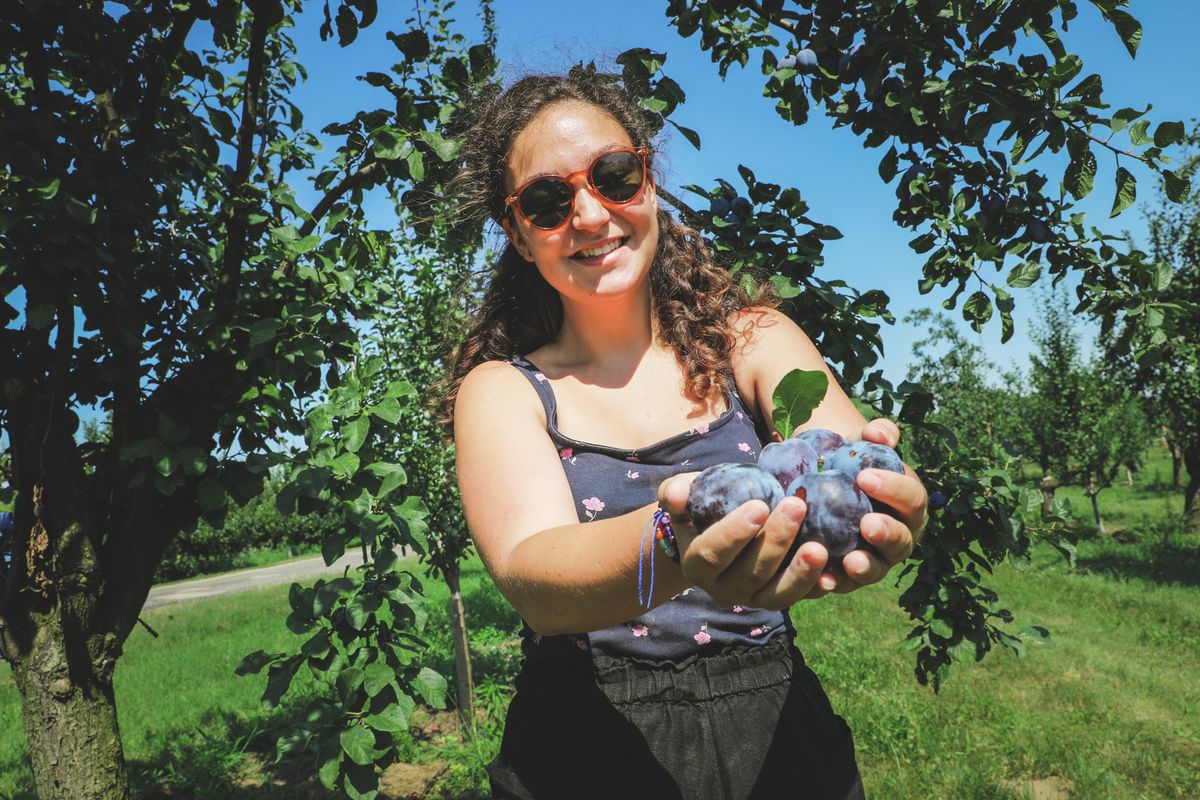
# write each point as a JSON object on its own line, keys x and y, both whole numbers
{"x": 70, "y": 720}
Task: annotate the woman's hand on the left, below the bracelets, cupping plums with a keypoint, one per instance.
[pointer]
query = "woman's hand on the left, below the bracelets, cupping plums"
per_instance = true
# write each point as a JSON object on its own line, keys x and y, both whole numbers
{"x": 741, "y": 558}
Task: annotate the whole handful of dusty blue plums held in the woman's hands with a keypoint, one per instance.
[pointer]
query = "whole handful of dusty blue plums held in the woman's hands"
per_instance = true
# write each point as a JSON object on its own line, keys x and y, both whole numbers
{"x": 817, "y": 466}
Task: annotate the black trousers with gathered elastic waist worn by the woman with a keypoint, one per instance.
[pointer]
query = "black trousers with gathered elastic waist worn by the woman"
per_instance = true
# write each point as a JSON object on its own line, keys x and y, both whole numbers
{"x": 749, "y": 723}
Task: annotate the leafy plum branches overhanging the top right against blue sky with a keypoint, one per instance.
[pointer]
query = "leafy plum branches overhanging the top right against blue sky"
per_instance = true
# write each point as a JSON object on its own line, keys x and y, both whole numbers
{"x": 965, "y": 98}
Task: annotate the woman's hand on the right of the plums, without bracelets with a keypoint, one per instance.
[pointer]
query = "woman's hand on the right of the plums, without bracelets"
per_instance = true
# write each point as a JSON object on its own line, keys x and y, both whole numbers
{"x": 893, "y": 537}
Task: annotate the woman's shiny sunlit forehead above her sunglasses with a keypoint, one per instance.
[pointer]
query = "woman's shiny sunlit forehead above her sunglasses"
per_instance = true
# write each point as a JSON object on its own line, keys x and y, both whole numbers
{"x": 561, "y": 140}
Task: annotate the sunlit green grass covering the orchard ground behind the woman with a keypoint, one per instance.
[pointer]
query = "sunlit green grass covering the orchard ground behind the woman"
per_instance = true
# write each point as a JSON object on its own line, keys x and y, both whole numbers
{"x": 1108, "y": 711}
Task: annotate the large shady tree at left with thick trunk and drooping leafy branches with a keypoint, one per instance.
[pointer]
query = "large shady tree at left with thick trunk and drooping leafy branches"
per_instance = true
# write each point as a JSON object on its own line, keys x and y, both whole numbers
{"x": 157, "y": 266}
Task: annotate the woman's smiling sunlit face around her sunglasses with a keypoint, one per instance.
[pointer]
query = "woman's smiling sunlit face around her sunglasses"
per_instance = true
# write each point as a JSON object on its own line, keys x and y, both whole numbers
{"x": 602, "y": 251}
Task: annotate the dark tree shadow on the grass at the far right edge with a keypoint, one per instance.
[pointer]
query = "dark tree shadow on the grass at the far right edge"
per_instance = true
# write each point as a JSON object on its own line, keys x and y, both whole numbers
{"x": 1149, "y": 558}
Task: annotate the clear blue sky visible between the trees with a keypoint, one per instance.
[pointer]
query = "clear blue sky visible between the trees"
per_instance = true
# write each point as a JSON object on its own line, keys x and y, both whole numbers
{"x": 739, "y": 125}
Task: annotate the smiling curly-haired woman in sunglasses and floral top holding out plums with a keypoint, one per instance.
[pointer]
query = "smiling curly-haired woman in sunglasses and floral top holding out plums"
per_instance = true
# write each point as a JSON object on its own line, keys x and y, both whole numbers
{"x": 611, "y": 360}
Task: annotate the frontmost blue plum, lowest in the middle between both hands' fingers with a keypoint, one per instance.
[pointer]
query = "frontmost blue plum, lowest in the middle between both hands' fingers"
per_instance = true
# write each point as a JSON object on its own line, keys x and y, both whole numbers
{"x": 836, "y": 509}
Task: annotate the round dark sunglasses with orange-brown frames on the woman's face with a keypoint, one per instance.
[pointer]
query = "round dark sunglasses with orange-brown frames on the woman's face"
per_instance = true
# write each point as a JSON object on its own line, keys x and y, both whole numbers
{"x": 616, "y": 178}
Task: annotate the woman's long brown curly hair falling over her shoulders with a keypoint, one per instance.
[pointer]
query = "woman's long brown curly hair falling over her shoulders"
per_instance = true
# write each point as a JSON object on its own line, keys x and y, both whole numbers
{"x": 693, "y": 297}
